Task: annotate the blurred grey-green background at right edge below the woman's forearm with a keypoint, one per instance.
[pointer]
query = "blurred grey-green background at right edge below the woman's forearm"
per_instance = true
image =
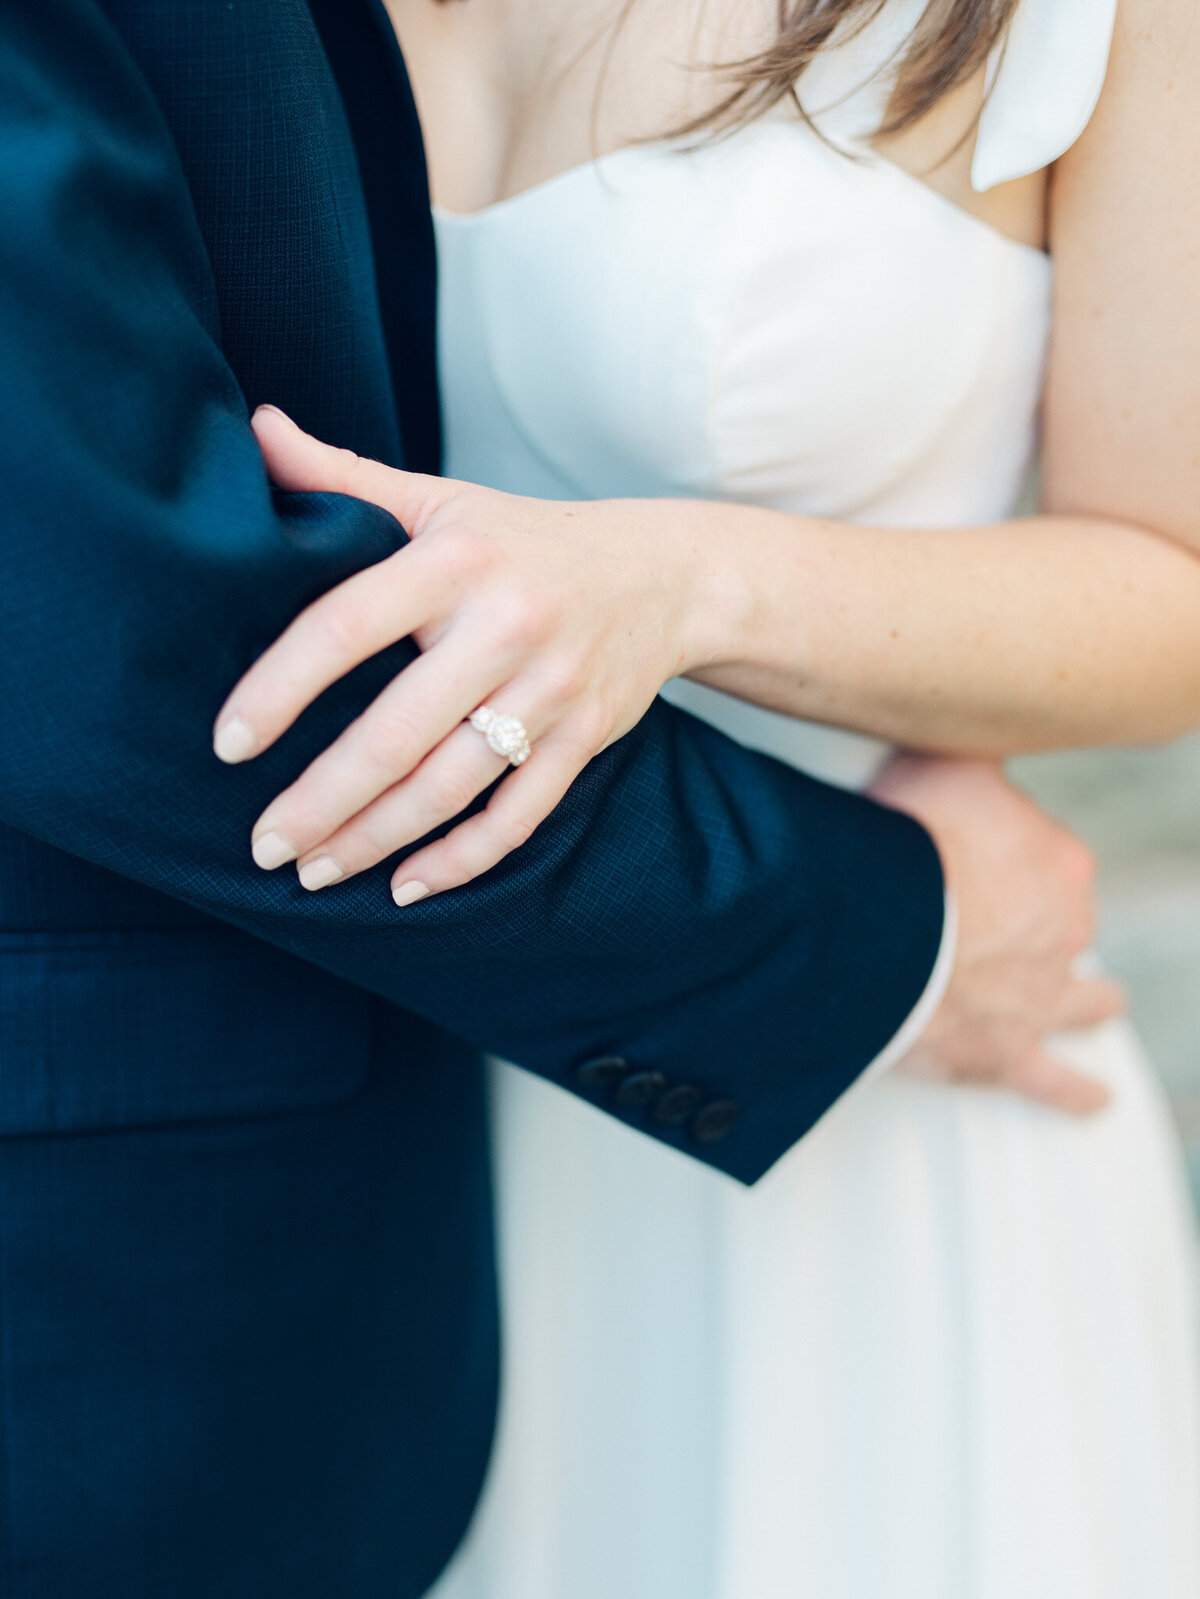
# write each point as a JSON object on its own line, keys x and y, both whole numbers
{"x": 1140, "y": 810}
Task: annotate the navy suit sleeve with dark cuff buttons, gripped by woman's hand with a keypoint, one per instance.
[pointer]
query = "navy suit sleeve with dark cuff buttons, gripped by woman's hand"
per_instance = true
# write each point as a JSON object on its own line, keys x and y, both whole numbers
{"x": 705, "y": 917}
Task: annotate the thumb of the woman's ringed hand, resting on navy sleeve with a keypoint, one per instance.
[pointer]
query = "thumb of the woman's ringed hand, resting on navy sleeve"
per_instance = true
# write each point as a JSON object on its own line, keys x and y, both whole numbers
{"x": 303, "y": 465}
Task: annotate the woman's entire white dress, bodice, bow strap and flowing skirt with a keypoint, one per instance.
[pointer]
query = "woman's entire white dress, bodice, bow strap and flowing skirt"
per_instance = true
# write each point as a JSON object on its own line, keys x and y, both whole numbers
{"x": 948, "y": 1347}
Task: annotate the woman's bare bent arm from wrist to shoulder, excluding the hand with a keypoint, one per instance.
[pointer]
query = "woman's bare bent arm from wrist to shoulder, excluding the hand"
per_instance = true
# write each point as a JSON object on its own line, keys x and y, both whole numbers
{"x": 1081, "y": 626}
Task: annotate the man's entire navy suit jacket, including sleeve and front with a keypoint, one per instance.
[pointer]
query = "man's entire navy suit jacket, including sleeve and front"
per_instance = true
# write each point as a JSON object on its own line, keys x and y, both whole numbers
{"x": 247, "y": 1301}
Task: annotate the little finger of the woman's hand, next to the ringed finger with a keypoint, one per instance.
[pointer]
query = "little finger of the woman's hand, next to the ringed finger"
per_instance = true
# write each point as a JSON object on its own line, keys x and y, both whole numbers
{"x": 518, "y": 807}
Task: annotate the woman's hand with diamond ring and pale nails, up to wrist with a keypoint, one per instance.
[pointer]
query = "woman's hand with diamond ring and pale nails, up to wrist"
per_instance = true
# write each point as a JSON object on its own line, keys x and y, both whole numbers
{"x": 567, "y": 616}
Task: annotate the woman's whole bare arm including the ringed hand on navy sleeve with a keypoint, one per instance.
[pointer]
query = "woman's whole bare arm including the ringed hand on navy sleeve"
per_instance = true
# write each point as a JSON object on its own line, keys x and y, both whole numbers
{"x": 1073, "y": 628}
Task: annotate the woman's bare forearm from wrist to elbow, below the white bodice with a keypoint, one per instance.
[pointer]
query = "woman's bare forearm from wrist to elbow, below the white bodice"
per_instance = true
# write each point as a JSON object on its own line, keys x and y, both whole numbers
{"x": 1034, "y": 634}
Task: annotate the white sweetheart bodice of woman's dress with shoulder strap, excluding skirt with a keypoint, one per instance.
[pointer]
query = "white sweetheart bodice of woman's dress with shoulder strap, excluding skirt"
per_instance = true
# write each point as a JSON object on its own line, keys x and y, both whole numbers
{"x": 775, "y": 317}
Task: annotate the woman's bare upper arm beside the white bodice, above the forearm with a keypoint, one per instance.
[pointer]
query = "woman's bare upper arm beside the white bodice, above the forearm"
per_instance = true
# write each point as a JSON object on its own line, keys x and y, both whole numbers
{"x": 1122, "y": 399}
